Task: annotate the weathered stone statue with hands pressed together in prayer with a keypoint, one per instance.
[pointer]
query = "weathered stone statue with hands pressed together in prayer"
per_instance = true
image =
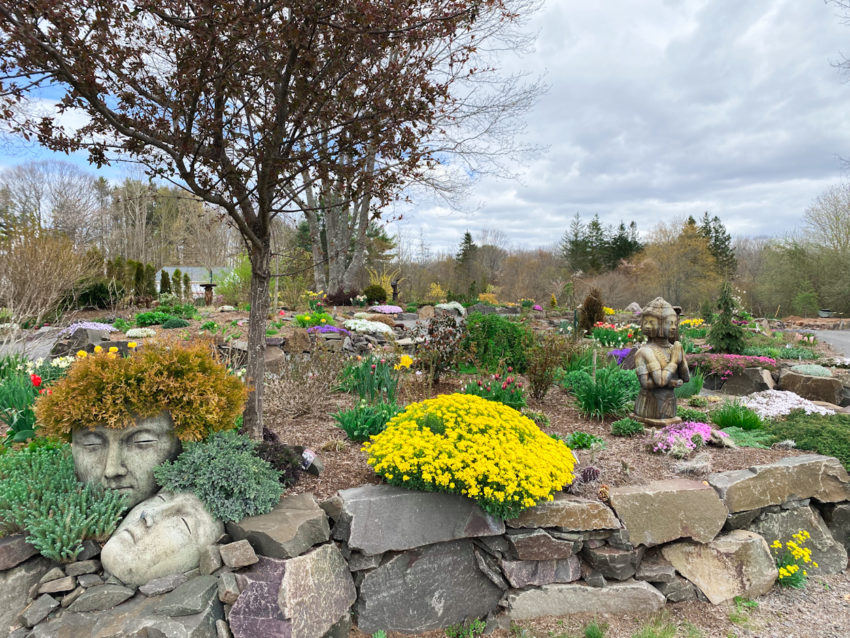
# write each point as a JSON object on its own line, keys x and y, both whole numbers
{"x": 660, "y": 364}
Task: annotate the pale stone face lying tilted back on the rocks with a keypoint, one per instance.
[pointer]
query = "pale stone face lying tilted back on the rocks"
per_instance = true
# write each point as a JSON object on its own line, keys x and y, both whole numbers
{"x": 160, "y": 536}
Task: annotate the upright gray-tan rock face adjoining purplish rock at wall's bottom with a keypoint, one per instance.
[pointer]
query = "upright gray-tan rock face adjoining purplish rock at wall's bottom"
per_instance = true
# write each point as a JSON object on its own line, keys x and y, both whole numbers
{"x": 316, "y": 592}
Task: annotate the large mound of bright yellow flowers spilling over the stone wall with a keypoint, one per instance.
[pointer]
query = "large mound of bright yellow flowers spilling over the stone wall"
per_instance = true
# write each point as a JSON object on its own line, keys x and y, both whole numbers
{"x": 464, "y": 444}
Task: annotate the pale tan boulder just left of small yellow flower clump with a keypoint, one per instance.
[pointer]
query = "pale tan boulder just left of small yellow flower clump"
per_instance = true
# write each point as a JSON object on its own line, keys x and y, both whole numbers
{"x": 736, "y": 564}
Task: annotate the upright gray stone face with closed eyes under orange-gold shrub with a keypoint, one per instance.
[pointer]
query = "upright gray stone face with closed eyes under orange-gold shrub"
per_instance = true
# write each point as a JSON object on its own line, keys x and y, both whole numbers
{"x": 124, "y": 459}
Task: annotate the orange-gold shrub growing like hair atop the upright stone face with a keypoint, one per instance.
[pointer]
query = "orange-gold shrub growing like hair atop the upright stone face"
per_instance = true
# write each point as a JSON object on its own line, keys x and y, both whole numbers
{"x": 109, "y": 390}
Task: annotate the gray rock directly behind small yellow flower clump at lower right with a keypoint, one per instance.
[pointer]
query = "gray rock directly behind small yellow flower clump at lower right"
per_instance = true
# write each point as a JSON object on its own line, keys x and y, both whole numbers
{"x": 829, "y": 554}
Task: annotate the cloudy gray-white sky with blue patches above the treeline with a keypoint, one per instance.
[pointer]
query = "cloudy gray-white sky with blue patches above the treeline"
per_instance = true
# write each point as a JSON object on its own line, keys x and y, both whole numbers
{"x": 656, "y": 110}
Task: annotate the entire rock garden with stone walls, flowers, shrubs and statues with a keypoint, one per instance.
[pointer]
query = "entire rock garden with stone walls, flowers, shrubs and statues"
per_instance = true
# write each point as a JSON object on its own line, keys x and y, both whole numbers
{"x": 442, "y": 468}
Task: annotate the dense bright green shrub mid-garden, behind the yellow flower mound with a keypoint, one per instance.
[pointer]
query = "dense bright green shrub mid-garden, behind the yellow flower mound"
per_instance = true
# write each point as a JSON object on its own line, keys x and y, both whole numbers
{"x": 494, "y": 341}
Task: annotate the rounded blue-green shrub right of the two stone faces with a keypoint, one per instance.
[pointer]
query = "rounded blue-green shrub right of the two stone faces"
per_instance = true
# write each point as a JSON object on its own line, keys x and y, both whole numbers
{"x": 225, "y": 472}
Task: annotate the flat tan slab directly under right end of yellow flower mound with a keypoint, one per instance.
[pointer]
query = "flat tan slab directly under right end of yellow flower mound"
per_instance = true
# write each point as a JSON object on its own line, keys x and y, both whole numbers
{"x": 568, "y": 512}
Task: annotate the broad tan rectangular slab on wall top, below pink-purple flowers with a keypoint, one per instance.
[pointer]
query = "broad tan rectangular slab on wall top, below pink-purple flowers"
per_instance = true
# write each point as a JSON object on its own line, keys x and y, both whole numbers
{"x": 666, "y": 510}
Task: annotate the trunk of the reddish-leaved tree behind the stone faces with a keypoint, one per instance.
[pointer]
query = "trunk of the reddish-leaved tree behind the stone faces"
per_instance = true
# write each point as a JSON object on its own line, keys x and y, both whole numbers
{"x": 255, "y": 368}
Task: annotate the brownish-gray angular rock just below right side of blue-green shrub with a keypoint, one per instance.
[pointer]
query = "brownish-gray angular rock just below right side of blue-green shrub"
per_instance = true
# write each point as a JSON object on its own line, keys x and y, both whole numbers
{"x": 295, "y": 525}
